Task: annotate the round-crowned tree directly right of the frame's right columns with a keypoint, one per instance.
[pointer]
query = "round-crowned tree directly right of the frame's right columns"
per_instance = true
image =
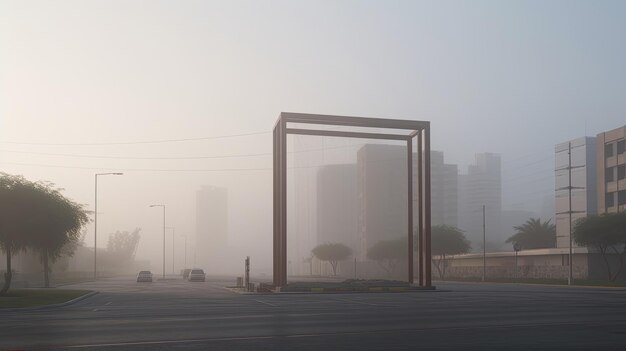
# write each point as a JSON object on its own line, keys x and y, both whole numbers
{"x": 447, "y": 240}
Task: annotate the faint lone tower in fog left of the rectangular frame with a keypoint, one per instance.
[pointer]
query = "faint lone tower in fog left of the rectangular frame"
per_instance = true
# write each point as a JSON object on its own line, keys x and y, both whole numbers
{"x": 211, "y": 222}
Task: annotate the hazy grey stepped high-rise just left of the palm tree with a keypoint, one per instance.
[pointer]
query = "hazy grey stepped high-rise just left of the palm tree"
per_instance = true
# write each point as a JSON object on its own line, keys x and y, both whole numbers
{"x": 481, "y": 186}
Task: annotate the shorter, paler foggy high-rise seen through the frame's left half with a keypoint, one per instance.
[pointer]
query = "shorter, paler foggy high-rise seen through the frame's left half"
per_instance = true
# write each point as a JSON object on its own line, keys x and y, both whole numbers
{"x": 337, "y": 205}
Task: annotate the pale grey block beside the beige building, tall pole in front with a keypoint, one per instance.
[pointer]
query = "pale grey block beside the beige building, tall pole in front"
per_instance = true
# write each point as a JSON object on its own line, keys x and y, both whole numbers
{"x": 583, "y": 182}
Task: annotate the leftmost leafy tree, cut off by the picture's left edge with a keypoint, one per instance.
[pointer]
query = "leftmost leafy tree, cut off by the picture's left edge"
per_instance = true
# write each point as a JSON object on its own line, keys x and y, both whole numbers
{"x": 16, "y": 194}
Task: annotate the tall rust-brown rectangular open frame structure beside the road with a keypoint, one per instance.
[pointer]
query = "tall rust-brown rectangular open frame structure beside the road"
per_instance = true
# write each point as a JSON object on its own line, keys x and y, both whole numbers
{"x": 415, "y": 129}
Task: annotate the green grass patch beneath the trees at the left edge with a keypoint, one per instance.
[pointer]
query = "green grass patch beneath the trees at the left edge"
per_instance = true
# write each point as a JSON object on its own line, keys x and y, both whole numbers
{"x": 38, "y": 297}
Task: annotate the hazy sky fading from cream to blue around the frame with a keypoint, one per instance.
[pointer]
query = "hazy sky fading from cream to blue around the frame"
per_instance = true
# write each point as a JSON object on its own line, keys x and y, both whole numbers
{"x": 508, "y": 77}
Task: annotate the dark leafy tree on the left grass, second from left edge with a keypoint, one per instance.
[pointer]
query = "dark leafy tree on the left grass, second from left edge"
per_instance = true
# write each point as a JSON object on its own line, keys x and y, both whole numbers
{"x": 56, "y": 222}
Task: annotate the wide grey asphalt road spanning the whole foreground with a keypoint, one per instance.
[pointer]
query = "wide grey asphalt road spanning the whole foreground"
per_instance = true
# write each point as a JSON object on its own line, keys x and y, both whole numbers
{"x": 179, "y": 315}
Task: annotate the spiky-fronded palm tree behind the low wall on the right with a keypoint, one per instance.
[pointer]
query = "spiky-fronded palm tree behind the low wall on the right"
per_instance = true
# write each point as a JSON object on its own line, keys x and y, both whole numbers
{"x": 534, "y": 234}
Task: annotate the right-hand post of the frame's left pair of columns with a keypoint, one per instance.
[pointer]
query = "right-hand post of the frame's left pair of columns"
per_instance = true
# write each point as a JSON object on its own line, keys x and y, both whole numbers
{"x": 283, "y": 200}
